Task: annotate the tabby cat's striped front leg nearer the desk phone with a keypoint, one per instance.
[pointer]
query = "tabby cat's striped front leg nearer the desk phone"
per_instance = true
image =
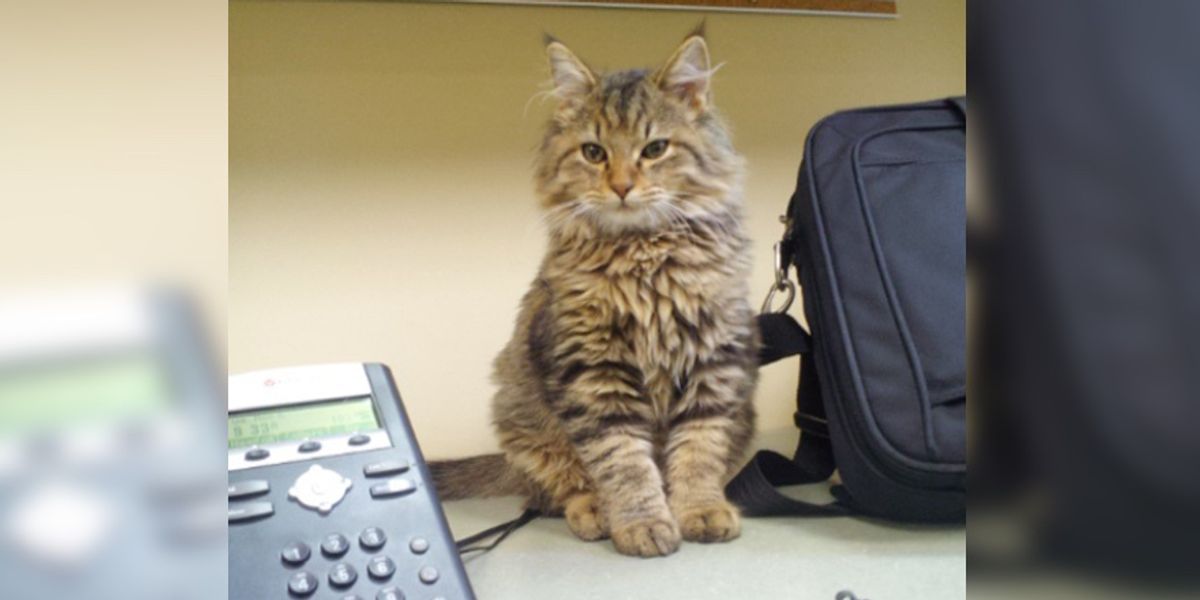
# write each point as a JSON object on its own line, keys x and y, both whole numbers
{"x": 609, "y": 421}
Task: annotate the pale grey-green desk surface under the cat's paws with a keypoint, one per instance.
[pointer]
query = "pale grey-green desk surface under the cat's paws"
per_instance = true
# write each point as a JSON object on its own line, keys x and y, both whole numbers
{"x": 775, "y": 559}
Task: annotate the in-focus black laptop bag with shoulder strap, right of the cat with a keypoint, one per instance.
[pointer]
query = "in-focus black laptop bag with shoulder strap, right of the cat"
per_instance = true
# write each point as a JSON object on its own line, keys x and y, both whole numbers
{"x": 877, "y": 231}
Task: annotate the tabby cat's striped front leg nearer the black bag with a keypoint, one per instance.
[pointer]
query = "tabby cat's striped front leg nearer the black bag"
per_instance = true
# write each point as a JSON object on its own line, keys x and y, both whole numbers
{"x": 710, "y": 427}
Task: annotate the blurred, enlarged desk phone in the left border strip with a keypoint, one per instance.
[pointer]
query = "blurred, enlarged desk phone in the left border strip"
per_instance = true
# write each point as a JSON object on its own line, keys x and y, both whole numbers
{"x": 110, "y": 448}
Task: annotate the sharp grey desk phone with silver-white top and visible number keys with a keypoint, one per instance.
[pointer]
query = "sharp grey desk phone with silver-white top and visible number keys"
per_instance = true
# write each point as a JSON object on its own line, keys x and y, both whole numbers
{"x": 329, "y": 496}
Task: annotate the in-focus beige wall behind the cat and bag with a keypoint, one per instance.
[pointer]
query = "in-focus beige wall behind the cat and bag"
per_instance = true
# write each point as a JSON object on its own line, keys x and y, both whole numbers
{"x": 381, "y": 205}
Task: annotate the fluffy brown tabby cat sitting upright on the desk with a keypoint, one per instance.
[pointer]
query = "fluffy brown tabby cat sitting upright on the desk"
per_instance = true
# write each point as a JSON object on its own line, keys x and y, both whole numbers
{"x": 626, "y": 393}
